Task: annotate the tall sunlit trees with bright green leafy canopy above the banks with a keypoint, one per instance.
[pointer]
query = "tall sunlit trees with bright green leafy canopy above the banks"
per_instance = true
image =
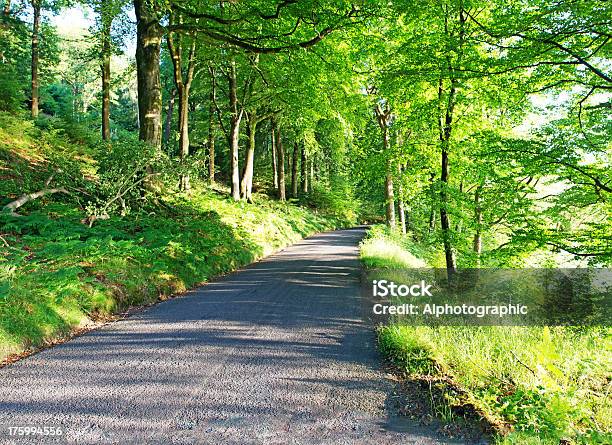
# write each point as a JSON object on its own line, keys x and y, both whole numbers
{"x": 482, "y": 128}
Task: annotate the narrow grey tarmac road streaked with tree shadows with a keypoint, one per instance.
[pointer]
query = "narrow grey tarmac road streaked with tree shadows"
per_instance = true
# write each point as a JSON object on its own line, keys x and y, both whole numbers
{"x": 276, "y": 353}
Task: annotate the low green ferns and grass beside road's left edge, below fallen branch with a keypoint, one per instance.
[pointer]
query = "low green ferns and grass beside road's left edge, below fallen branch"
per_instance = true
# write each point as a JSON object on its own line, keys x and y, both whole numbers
{"x": 57, "y": 274}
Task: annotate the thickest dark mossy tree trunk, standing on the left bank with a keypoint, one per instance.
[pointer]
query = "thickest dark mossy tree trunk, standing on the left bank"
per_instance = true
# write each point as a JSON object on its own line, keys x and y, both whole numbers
{"x": 148, "y": 42}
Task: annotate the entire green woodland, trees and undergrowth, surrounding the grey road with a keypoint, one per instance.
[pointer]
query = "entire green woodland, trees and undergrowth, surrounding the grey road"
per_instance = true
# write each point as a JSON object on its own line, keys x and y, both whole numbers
{"x": 147, "y": 146}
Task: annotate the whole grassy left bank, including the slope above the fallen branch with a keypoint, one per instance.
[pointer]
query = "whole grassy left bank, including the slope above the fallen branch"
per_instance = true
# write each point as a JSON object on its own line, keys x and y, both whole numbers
{"x": 58, "y": 274}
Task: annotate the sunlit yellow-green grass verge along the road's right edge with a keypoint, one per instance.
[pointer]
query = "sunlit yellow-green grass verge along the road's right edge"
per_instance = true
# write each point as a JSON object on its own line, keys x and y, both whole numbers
{"x": 540, "y": 385}
